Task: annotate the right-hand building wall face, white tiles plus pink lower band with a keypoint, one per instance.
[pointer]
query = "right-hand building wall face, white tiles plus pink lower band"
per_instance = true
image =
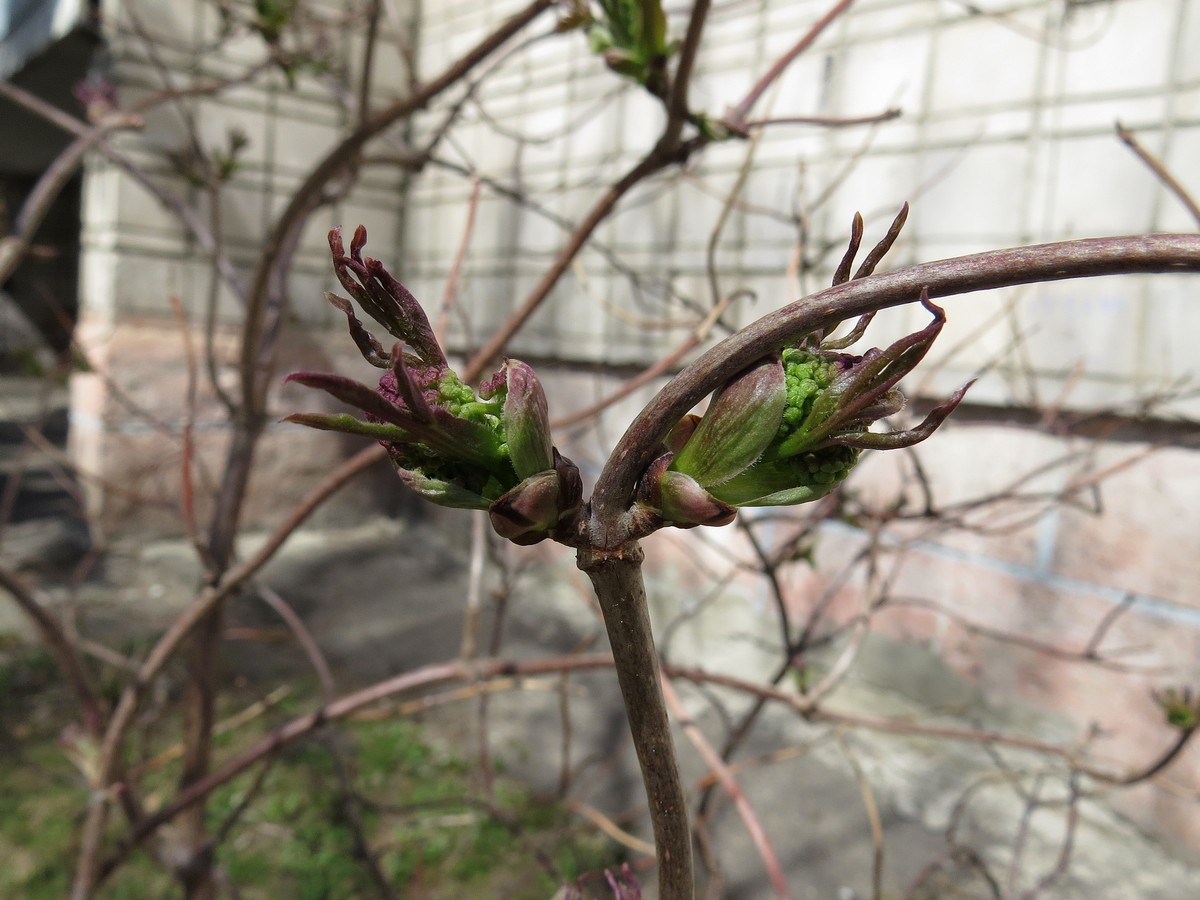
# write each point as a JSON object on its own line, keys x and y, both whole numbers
{"x": 1006, "y": 137}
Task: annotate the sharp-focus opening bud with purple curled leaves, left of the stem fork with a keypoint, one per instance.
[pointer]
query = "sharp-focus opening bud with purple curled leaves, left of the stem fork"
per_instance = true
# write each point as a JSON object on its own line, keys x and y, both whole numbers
{"x": 457, "y": 447}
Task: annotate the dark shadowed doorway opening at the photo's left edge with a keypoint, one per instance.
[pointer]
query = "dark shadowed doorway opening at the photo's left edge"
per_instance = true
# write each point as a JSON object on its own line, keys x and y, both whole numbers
{"x": 41, "y": 520}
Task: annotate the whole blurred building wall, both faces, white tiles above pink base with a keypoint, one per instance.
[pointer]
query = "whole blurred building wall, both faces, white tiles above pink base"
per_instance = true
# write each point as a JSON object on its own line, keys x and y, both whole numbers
{"x": 1006, "y": 136}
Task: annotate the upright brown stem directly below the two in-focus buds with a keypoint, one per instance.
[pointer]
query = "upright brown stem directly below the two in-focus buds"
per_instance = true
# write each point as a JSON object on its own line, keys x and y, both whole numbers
{"x": 617, "y": 579}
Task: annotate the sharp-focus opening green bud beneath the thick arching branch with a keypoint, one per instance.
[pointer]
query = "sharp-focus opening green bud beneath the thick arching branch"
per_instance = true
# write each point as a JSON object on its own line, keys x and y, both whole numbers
{"x": 787, "y": 431}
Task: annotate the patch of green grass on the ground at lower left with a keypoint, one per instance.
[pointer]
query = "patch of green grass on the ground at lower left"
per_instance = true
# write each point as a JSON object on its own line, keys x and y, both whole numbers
{"x": 434, "y": 835}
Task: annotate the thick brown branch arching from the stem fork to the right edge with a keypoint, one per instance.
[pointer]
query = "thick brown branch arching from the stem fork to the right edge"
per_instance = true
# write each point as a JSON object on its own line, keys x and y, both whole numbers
{"x": 609, "y": 526}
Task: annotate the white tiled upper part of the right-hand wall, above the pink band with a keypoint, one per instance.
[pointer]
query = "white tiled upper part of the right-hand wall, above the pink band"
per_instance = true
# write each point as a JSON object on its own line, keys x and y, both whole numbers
{"x": 1006, "y": 139}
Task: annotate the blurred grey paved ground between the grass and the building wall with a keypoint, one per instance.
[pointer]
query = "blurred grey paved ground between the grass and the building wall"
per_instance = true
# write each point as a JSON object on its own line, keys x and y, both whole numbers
{"x": 386, "y": 597}
